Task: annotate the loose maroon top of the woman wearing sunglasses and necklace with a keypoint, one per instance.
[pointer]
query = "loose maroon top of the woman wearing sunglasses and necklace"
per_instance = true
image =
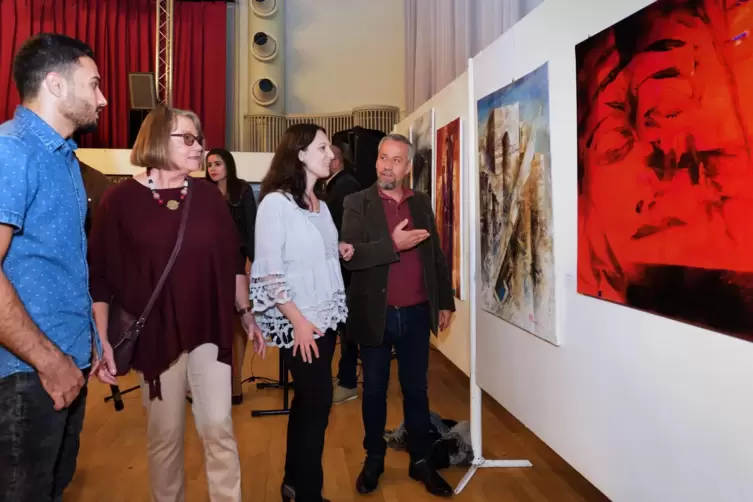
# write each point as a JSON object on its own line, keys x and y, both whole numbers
{"x": 130, "y": 244}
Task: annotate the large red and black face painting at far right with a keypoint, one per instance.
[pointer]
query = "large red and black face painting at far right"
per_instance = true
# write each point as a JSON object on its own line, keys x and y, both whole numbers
{"x": 665, "y": 166}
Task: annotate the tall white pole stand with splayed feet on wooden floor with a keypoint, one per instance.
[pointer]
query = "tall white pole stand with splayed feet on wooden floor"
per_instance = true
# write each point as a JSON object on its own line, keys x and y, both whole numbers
{"x": 479, "y": 462}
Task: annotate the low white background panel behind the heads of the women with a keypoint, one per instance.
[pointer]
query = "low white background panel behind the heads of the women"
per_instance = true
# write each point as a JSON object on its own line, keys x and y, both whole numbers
{"x": 252, "y": 166}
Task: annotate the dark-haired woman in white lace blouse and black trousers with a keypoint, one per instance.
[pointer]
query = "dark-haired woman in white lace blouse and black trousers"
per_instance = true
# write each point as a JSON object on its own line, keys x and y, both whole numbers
{"x": 298, "y": 295}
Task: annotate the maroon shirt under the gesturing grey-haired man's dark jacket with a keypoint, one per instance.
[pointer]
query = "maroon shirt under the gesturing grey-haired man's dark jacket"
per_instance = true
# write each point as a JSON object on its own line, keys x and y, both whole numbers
{"x": 405, "y": 281}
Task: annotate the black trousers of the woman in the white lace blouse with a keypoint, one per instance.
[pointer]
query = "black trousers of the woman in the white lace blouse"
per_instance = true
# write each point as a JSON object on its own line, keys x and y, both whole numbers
{"x": 308, "y": 419}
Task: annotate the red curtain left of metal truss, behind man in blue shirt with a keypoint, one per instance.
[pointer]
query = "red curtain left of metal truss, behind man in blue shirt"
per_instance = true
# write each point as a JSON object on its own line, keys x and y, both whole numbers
{"x": 121, "y": 33}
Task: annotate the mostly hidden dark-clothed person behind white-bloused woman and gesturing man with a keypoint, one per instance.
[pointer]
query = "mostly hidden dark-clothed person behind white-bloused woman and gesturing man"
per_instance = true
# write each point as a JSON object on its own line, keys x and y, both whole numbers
{"x": 340, "y": 184}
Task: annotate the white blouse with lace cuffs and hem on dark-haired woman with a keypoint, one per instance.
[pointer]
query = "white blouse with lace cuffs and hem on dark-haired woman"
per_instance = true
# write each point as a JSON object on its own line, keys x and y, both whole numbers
{"x": 296, "y": 259}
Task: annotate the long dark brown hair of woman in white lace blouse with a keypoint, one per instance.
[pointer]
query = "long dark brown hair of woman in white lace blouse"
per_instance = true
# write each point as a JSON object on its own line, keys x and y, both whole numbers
{"x": 287, "y": 173}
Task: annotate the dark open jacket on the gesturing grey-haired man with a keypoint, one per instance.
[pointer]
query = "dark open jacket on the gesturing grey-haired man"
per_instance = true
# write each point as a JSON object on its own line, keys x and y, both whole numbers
{"x": 365, "y": 227}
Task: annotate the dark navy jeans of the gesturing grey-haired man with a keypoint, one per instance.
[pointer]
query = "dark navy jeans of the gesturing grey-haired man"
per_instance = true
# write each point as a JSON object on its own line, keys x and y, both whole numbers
{"x": 407, "y": 329}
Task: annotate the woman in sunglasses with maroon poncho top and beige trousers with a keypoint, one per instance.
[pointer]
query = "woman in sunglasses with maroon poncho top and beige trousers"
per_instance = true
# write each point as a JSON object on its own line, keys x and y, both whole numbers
{"x": 187, "y": 339}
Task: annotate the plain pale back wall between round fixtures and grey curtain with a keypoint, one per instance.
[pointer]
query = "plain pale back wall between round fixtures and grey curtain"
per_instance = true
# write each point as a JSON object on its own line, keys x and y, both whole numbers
{"x": 341, "y": 54}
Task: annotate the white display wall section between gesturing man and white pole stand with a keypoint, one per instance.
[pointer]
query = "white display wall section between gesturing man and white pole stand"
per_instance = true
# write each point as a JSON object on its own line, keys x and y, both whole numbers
{"x": 449, "y": 104}
